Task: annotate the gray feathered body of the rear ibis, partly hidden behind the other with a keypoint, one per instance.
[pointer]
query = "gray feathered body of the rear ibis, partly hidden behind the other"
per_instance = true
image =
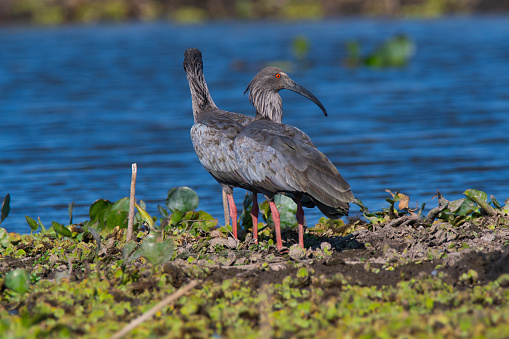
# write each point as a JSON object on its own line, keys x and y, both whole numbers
{"x": 212, "y": 139}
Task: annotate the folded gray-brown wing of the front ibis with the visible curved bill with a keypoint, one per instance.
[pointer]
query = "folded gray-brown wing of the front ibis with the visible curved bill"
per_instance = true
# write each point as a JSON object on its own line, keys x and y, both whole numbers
{"x": 280, "y": 158}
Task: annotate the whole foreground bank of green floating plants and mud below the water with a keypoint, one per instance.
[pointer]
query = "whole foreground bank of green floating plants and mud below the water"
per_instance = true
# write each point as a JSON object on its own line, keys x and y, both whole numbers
{"x": 397, "y": 273}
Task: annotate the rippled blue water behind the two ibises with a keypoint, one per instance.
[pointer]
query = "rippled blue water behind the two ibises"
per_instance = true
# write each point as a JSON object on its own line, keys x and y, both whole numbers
{"x": 80, "y": 104}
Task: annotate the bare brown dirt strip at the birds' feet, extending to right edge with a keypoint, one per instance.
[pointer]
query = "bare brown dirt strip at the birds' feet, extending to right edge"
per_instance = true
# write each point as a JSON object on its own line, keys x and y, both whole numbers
{"x": 388, "y": 255}
